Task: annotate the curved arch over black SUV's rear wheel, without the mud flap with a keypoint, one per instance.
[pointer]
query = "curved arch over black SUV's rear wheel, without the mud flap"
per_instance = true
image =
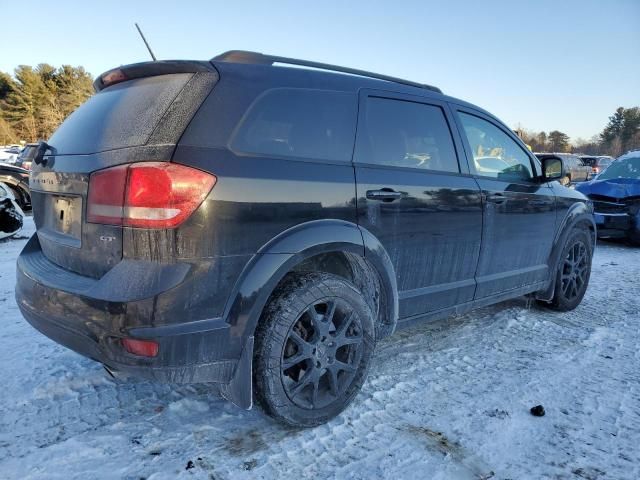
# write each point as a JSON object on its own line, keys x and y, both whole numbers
{"x": 333, "y": 246}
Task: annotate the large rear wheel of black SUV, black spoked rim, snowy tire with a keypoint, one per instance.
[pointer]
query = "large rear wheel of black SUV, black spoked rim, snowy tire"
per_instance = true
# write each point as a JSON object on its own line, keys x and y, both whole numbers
{"x": 313, "y": 349}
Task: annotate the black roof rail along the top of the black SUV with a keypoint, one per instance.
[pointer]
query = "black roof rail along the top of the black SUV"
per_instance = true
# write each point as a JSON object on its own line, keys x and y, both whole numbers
{"x": 244, "y": 56}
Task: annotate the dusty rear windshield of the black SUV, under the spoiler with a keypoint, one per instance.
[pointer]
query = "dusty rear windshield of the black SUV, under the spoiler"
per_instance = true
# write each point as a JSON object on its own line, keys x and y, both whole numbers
{"x": 123, "y": 115}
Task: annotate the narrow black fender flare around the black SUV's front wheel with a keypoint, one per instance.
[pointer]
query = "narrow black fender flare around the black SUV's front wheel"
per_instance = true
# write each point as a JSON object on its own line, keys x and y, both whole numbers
{"x": 578, "y": 213}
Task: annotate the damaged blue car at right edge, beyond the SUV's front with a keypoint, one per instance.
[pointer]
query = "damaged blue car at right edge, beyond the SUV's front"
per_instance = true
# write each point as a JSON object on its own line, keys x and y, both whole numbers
{"x": 616, "y": 198}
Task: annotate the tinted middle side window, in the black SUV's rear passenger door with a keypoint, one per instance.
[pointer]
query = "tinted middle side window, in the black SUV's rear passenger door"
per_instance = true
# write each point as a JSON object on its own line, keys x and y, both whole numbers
{"x": 406, "y": 134}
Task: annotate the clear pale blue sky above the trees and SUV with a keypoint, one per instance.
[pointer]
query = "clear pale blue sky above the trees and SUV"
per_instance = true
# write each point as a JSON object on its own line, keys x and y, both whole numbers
{"x": 548, "y": 64}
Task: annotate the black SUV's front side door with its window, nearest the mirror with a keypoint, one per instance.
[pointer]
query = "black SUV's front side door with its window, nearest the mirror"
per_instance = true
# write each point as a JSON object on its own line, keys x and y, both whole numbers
{"x": 519, "y": 211}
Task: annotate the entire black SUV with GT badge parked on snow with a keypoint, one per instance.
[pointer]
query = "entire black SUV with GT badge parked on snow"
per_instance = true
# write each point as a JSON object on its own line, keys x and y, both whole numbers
{"x": 262, "y": 227}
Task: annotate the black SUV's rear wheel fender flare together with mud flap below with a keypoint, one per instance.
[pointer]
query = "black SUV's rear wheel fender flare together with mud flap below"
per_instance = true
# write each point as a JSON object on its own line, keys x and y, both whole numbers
{"x": 278, "y": 257}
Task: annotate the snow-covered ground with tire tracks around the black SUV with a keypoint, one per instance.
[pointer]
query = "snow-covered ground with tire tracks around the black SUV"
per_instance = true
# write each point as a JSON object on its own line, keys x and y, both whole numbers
{"x": 444, "y": 400}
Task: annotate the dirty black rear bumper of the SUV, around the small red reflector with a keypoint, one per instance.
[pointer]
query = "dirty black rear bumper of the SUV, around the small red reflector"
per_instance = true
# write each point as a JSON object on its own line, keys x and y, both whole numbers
{"x": 189, "y": 352}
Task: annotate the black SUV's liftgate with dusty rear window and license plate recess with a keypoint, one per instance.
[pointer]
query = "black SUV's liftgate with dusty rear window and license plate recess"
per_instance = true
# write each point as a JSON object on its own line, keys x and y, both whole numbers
{"x": 121, "y": 124}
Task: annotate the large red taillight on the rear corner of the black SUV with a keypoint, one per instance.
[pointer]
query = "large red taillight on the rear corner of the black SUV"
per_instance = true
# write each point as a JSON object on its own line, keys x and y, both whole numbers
{"x": 146, "y": 194}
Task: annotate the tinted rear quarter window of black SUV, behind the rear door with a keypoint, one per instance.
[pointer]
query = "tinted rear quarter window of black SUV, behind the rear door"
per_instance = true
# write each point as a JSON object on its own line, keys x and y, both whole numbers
{"x": 302, "y": 123}
